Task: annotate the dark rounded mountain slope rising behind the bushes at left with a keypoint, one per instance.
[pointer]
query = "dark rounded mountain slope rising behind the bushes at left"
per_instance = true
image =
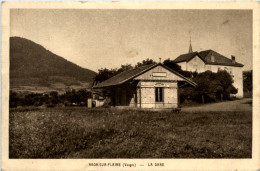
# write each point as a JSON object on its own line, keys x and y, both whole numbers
{"x": 33, "y": 65}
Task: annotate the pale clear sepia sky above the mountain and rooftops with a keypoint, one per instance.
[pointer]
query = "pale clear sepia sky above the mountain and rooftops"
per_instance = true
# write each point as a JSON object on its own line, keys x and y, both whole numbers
{"x": 101, "y": 38}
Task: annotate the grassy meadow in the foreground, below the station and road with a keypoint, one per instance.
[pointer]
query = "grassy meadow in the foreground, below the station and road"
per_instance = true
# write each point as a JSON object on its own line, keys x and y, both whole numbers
{"x": 114, "y": 133}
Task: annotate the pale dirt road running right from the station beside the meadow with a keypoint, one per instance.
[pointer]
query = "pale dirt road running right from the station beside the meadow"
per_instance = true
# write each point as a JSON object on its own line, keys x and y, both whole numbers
{"x": 237, "y": 105}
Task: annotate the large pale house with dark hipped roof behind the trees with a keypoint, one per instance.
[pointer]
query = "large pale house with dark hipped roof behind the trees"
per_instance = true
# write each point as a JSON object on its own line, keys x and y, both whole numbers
{"x": 213, "y": 61}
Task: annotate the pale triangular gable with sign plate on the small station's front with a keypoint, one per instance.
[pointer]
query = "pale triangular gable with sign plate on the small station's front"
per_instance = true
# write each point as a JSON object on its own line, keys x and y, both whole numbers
{"x": 159, "y": 73}
